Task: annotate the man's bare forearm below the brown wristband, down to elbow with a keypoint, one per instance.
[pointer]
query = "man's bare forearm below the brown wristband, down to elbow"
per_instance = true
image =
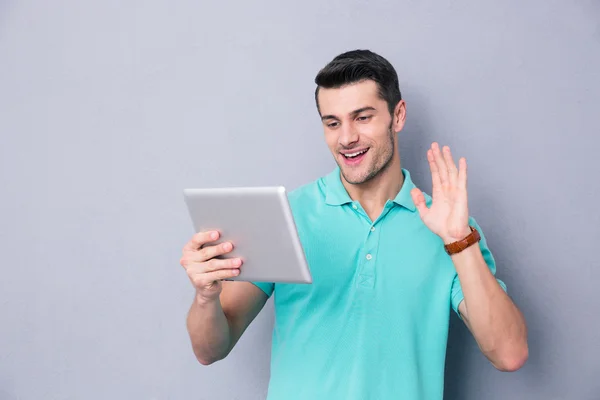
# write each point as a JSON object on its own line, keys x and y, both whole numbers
{"x": 494, "y": 320}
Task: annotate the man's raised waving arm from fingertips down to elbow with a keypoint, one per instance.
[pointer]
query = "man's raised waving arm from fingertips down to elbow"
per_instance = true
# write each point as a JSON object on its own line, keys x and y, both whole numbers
{"x": 494, "y": 320}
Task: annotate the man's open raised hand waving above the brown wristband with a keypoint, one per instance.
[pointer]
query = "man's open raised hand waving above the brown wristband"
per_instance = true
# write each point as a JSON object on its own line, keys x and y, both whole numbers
{"x": 448, "y": 215}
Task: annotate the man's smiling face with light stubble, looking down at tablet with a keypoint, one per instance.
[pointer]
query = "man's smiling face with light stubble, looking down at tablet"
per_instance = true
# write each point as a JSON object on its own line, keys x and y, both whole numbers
{"x": 359, "y": 130}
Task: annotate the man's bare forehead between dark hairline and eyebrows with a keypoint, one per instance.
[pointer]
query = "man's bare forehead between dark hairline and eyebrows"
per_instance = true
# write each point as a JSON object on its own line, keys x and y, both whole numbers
{"x": 346, "y": 99}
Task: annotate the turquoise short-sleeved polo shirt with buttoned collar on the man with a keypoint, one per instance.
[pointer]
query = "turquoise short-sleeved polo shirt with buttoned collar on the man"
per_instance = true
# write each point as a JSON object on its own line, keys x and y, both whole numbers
{"x": 374, "y": 322}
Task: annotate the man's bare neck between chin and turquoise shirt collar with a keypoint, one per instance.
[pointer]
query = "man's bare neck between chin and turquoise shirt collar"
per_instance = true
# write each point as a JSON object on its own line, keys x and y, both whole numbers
{"x": 374, "y": 194}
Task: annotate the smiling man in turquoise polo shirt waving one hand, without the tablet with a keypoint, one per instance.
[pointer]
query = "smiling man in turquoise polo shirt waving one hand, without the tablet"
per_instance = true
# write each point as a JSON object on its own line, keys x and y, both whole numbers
{"x": 389, "y": 263}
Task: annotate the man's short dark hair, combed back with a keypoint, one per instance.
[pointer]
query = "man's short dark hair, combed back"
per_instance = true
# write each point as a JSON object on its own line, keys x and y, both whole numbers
{"x": 356, "y": 66}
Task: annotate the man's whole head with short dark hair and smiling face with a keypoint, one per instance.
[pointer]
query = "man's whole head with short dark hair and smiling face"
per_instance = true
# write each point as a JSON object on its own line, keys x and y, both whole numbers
{"x": 359, "y": 101}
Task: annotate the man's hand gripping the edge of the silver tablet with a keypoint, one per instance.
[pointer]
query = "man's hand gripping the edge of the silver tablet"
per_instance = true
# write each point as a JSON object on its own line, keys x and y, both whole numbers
{"x": 204, "y": 269}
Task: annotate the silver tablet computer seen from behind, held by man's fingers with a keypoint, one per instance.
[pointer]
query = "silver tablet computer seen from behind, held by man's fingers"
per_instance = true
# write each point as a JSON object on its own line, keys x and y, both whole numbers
{"x": 259, "y": 223}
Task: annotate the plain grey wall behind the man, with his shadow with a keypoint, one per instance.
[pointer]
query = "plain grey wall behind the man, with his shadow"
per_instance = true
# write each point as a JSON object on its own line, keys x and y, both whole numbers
{"x": 109, "y": 109}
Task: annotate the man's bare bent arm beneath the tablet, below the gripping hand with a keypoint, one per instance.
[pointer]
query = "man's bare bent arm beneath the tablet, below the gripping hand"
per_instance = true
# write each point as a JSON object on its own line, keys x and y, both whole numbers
{"x": 215, "y": 326}
